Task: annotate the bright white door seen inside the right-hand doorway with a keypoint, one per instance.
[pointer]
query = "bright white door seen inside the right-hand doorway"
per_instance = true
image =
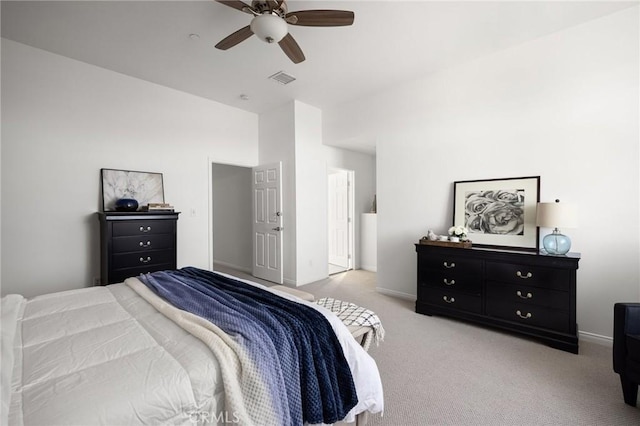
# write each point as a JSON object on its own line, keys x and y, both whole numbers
{"x": 339, "y": 218}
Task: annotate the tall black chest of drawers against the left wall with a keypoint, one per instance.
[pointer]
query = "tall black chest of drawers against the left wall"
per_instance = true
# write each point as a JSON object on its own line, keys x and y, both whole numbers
{"x": 135, "y": 243}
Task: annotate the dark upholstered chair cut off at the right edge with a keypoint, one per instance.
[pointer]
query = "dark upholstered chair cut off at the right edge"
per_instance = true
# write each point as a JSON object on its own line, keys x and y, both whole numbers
{"x": 626, "y": 348}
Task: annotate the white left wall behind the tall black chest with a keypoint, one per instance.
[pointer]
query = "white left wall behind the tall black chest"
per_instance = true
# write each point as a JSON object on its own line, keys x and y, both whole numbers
{"x": 63, "y": 120}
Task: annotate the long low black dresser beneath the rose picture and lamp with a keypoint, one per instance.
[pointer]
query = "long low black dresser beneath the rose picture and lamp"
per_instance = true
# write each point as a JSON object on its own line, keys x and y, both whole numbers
{"x": 528, "y": 293}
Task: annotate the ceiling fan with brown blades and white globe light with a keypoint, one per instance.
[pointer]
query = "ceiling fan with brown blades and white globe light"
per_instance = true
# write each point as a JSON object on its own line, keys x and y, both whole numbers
{"x": 269, "y": 23}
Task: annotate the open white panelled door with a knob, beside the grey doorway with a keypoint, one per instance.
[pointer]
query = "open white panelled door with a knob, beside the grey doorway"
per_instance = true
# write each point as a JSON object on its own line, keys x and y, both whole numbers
{"x": 267, "y": 223}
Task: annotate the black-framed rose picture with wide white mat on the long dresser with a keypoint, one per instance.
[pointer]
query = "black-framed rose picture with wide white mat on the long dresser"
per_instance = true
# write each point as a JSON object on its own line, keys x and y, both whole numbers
{"x": 499, "y": 213}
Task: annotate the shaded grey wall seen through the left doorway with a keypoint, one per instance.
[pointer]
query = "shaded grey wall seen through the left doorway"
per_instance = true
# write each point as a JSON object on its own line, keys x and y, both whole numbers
{"x": 232, "y": 216}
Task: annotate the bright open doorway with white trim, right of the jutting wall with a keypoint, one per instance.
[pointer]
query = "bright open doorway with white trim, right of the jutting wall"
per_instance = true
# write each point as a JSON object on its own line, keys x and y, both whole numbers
{"x": 340, "y": 220}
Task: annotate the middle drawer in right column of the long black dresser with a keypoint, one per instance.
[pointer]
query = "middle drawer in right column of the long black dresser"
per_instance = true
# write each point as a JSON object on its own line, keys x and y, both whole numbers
{"x": 539, "y": 296}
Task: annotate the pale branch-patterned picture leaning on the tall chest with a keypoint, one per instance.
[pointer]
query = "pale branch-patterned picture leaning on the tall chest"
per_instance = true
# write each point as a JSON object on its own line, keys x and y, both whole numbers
{"x": 144, "y": 187}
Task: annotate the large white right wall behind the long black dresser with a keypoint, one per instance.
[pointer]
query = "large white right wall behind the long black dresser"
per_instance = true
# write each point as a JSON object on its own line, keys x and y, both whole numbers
{"x": 564, "y": 107}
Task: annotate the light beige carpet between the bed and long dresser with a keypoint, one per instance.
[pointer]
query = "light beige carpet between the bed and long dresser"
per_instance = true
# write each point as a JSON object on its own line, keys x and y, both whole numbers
{"x": 439, "y": 371}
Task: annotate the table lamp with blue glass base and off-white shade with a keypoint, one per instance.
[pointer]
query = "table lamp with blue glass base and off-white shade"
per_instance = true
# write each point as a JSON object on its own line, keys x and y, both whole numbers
{"x": 556, "y": 215}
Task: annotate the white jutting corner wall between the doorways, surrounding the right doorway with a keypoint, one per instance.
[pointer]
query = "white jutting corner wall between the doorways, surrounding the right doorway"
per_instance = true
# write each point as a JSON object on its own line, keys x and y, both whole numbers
{"x": 293, "y": 134}
